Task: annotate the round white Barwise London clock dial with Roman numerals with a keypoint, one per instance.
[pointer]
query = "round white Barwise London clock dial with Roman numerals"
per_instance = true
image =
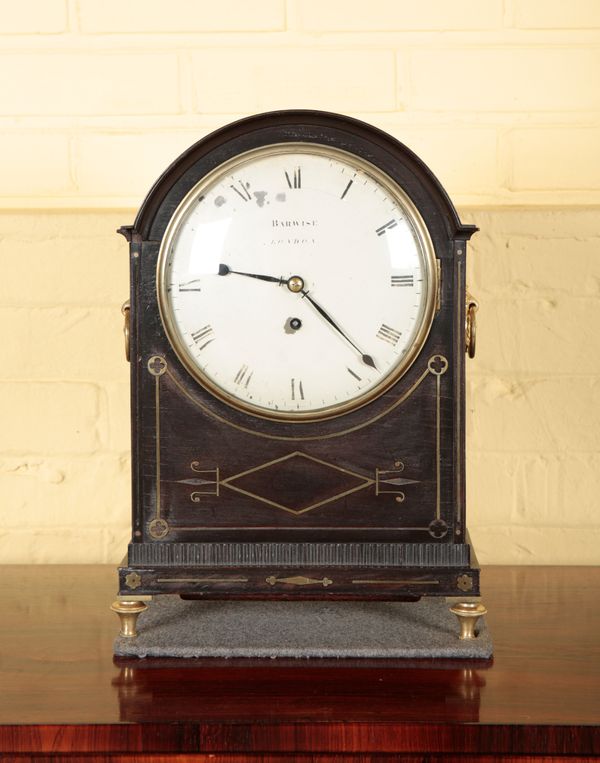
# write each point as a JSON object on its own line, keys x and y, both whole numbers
{"x": 297, "y": 282}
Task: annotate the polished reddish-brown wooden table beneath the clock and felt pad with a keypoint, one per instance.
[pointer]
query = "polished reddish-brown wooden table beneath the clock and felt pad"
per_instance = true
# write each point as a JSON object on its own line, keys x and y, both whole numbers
{"x": 62, "y": 693}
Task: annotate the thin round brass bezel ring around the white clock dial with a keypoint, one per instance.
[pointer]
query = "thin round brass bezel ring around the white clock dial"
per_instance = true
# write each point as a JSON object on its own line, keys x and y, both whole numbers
{"x": 427, "y": 253}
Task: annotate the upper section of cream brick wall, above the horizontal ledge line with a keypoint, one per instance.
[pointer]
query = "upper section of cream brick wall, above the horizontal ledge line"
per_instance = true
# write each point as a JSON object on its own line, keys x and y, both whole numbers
{"x": 87, "y": 84}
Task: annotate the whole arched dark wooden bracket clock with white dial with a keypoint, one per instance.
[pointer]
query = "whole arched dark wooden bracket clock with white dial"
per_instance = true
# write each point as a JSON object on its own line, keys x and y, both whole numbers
{"x": 297, "y": 324}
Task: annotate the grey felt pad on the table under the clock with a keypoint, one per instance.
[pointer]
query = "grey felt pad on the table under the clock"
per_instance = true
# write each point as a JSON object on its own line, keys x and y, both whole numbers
{"x": 171, "y": 627}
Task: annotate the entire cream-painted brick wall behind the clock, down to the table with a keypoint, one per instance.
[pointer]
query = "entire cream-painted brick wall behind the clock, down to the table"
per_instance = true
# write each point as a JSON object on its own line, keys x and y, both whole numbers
{"x": 499, "y": 97}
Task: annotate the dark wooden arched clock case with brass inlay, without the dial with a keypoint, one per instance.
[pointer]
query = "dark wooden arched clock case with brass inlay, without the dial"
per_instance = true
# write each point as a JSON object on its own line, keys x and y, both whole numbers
{"x": 368, "y": 505}
